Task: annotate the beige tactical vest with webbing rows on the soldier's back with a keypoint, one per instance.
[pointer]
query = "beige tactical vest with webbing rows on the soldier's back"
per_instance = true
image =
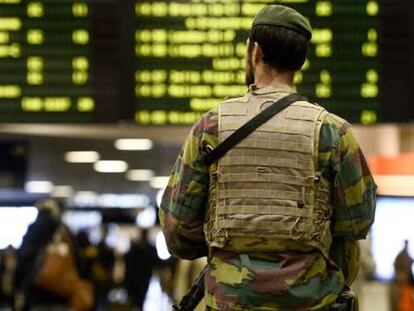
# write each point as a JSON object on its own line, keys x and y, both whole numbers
{"x": 266, "y": 193}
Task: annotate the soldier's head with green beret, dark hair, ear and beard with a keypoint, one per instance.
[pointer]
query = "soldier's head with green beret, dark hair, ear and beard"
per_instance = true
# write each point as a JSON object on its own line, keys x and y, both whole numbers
{"x": 278, "y": 40}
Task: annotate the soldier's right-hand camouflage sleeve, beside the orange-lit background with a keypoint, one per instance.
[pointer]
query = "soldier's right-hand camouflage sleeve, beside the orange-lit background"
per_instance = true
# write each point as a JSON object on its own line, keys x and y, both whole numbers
{"x": 342, "y": 162}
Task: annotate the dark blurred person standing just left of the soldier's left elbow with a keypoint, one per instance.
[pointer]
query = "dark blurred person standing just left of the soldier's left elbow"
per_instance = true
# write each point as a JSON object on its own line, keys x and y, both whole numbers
{"x": 140, "y": 261}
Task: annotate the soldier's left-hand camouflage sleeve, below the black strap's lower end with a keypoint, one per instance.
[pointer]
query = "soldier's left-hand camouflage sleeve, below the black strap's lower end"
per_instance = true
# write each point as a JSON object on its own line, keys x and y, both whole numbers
{"x": 183, "y": 204}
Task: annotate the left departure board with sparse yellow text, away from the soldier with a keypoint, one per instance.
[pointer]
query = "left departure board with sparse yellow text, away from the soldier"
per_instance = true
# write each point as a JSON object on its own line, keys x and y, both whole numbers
{"x": 59, "y": 61}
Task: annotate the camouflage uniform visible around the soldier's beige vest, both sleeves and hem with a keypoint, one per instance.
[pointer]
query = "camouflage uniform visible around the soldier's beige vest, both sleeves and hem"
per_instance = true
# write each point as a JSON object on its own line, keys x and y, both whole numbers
{"x": 298, "y": 278}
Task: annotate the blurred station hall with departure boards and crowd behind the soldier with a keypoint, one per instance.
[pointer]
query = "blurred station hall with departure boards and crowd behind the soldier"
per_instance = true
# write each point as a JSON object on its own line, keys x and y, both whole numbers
{"x": 97, "y": 96}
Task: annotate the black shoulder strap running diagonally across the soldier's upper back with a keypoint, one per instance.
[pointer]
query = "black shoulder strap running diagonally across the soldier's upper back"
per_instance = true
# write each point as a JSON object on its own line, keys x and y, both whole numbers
{"x": 250, "y": 127}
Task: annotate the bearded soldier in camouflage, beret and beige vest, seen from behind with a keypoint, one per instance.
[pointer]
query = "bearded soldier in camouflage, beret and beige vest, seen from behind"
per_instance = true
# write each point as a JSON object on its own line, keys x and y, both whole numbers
{"x": 280, "y": 214}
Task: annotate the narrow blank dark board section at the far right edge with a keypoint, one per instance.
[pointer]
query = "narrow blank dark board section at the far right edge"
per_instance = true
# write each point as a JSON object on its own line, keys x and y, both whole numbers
{"x": 397, "y": 61}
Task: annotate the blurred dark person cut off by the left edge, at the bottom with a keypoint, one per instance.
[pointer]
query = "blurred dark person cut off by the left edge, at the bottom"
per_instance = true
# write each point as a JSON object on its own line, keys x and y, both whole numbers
{"x": 8, "y": 266}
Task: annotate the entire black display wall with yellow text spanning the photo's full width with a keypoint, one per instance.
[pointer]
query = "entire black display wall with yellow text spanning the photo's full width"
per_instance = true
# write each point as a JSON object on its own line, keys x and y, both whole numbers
{"x": 157, "y": 62}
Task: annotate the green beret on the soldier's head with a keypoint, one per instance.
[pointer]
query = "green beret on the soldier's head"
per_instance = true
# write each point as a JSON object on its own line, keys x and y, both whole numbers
{"x": 282, "y": 16}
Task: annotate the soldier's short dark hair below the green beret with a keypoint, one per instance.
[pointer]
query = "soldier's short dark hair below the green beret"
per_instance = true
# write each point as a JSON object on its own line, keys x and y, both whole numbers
{"x": 283, "y": 49}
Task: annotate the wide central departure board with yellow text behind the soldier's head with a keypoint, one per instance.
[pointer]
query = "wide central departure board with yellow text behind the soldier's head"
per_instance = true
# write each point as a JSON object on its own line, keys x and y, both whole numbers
{"x": 190, "y": 56}
